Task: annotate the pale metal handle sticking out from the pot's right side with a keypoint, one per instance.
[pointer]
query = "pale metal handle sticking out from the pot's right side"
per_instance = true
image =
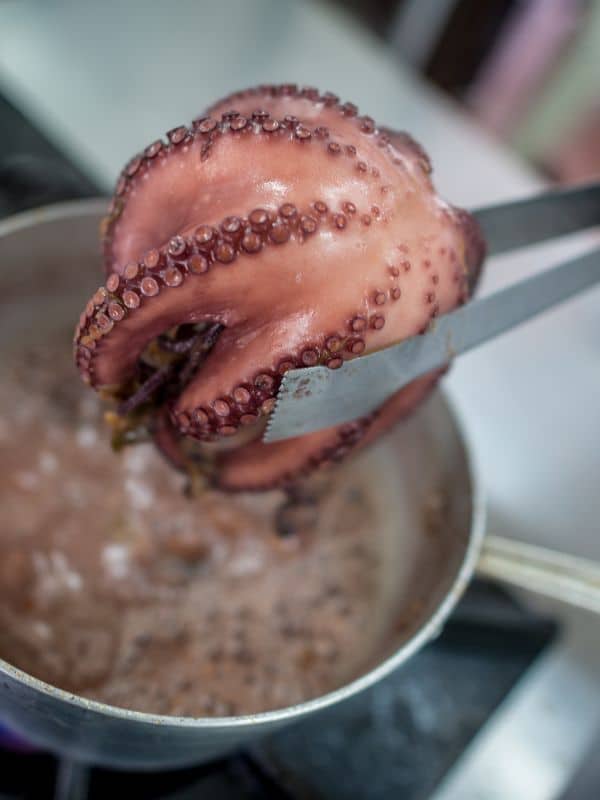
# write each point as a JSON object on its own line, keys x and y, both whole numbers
{"x": 572, "y": 580}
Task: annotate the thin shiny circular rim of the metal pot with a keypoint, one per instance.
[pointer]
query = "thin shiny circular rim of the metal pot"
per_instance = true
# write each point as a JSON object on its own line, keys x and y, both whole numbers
{"x": 97, "y": 205}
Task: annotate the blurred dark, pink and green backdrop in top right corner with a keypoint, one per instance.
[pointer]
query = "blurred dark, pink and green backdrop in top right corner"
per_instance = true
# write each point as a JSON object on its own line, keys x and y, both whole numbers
{"x": 527, "y": 70}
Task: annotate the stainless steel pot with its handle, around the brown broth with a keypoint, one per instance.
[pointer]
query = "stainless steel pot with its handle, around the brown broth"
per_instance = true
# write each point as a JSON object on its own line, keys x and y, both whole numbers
{"x": 49, "y": 265}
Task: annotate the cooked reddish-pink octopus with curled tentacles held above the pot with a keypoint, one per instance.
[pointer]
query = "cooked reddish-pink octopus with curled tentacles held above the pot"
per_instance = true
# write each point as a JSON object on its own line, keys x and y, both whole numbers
{"x": 281, "y": 229}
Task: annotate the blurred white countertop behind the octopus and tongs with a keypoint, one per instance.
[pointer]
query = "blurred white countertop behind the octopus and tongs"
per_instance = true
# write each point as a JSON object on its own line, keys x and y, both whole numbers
{"x": 106, "y": 78}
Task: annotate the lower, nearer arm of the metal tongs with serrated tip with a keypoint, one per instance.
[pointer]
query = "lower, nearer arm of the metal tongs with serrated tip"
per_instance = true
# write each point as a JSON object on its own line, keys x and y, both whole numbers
{"x": 314, "y": 398}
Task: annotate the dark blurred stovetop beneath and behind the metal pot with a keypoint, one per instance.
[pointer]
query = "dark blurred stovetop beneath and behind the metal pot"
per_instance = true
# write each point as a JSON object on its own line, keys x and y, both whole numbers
{"x": 396, "y": 740}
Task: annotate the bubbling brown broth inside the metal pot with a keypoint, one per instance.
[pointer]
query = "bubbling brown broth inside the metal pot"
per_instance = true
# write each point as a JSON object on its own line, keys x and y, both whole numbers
{"x": 116, "y": 586}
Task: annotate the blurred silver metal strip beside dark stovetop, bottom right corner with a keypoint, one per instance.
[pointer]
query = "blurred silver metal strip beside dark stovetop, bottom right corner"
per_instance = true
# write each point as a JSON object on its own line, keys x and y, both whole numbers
{"x": 534, "y": 744}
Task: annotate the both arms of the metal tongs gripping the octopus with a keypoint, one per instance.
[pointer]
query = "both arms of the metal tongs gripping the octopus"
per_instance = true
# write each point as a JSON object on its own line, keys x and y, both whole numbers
{"x": 313, "y": 398}
